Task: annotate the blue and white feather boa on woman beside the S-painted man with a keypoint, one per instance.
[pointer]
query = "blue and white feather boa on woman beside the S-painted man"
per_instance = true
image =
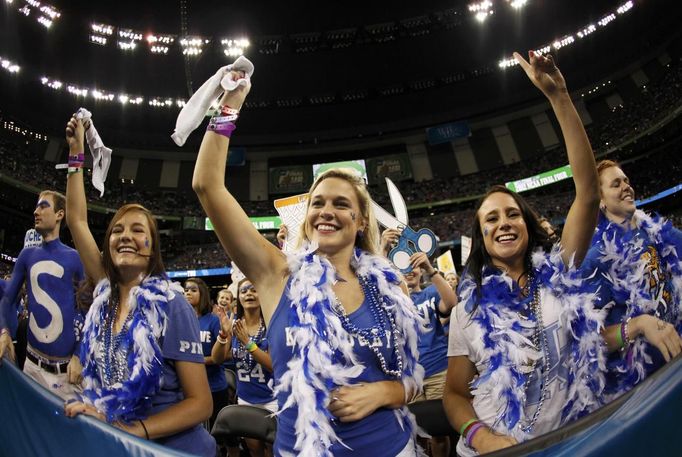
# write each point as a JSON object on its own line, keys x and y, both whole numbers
{"x": 131, "y": 399}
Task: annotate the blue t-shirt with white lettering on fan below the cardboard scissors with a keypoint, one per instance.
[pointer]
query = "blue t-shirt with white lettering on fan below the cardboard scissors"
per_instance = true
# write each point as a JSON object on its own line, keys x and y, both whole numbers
{"x": 433, "y": 344}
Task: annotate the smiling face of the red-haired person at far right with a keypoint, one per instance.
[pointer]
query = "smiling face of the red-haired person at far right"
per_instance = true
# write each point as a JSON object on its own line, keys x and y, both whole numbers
{"x": 617, "y": 196}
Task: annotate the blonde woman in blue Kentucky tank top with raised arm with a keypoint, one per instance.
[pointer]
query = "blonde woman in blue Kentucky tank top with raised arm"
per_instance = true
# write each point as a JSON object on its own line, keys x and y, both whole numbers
{"x": 341, "y": 328}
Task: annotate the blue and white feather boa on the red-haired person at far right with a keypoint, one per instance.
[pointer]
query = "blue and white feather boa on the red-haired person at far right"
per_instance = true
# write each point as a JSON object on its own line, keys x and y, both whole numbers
{"x": 621, "y": 251}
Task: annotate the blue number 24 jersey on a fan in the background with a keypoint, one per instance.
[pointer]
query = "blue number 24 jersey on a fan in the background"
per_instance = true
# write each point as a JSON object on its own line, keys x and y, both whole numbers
{"x": 255, "y": 385}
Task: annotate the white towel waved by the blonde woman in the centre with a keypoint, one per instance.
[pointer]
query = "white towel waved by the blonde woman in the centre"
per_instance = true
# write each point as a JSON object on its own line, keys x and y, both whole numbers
{"x": 195, "y": 109}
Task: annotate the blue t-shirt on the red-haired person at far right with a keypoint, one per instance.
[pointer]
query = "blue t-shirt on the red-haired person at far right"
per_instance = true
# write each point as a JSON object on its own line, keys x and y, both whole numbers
{"x": 660, "y": 289}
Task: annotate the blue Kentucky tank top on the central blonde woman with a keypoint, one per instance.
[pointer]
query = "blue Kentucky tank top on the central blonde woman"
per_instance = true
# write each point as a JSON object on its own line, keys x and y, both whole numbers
{"x": 380, "y": 433}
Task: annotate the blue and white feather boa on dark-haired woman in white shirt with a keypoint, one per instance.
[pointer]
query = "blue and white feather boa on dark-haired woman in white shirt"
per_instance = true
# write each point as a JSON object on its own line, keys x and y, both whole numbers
{"x": 507, "y": 339}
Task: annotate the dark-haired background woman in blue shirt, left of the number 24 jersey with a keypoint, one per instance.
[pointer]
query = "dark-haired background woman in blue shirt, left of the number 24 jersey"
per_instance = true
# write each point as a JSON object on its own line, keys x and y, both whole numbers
{"x": 214, "y": 332}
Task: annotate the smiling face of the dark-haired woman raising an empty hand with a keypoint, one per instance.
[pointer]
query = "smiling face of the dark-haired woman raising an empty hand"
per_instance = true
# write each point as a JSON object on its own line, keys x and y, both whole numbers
{"x": 504, "y": 231}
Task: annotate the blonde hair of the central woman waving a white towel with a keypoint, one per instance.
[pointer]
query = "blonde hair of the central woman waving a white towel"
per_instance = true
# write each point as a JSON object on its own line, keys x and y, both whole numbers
{"x": 369, "y": 241}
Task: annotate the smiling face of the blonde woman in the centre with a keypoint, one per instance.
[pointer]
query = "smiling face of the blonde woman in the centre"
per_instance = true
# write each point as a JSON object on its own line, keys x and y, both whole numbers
{"x": 333, "y": 218}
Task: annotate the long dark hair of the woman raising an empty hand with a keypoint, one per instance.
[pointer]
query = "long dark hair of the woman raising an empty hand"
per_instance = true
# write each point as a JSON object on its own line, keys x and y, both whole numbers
{"x": 479, "y": 259}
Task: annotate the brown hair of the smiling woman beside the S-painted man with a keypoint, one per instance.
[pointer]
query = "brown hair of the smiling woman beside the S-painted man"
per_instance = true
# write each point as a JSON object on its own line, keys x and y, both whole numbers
{"x": 155, "y": 267}
